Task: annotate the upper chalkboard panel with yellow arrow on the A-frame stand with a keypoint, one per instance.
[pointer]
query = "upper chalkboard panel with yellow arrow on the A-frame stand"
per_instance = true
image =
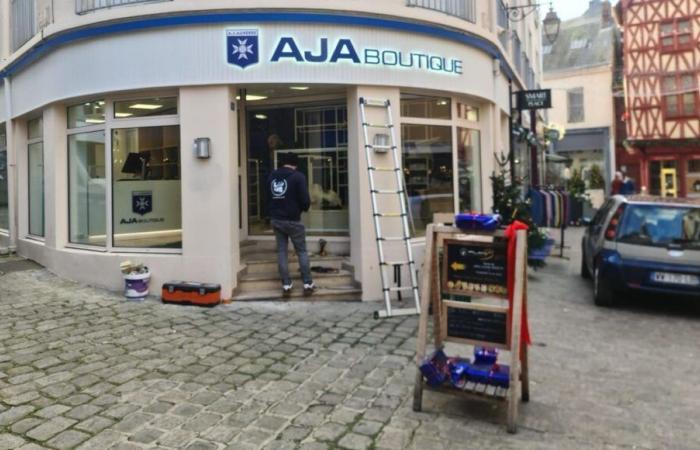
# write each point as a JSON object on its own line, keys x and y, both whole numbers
{"x": 475, "y": 268}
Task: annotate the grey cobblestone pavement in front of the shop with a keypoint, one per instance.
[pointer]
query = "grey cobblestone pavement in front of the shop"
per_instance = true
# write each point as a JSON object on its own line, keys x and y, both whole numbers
{"x": 80, "y": 367}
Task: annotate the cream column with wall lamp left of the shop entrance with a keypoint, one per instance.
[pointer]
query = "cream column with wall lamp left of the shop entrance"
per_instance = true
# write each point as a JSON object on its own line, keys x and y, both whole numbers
{"x": 210, "y": 241}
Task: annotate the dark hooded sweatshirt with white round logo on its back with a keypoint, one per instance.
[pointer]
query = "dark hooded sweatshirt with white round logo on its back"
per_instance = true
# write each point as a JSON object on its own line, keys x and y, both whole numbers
{"x": 288, "y": 194}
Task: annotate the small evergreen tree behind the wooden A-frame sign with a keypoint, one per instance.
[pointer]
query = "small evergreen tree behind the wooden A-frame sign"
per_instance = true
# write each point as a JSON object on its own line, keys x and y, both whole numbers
{"x": 509, "y": 203}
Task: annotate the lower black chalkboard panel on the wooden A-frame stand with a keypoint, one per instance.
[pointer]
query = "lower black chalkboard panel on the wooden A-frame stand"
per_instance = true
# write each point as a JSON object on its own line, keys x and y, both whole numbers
{"x": 473, "y": 325}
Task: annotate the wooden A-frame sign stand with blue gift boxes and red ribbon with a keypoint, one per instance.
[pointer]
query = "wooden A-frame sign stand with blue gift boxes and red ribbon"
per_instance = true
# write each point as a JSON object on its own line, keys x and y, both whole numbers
{"x": 486, "y": 320}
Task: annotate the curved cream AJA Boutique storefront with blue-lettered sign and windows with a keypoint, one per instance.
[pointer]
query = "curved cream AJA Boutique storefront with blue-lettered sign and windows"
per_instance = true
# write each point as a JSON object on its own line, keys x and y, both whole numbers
{"x": 152, "y": 142}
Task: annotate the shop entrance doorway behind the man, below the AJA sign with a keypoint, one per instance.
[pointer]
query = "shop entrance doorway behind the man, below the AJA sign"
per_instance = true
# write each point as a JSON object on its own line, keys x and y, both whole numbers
{"x": 311, "y": 123}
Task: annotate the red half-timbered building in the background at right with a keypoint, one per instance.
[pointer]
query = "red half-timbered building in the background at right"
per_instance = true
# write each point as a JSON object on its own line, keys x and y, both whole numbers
{"x": 662, "y": 104}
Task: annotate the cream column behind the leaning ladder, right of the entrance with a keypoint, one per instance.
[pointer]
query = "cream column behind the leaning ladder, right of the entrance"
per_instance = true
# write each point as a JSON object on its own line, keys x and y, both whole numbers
{"x": 363, "y": 245}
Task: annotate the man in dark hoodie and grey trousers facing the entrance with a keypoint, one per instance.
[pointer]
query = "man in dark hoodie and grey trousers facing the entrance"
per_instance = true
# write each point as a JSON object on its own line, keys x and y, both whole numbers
{"x": 288, "y": 197}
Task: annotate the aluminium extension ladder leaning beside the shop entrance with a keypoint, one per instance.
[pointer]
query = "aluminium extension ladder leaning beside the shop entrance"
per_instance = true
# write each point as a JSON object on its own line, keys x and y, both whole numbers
{"x": 400, "y": 192}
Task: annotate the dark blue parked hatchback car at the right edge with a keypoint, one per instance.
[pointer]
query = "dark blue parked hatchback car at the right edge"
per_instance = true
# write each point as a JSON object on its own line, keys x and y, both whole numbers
{"x": 643, "y": 243}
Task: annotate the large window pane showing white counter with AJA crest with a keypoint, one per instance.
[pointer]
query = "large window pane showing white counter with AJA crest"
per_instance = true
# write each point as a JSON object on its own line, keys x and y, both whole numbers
{"x": 146, "y": 200}
